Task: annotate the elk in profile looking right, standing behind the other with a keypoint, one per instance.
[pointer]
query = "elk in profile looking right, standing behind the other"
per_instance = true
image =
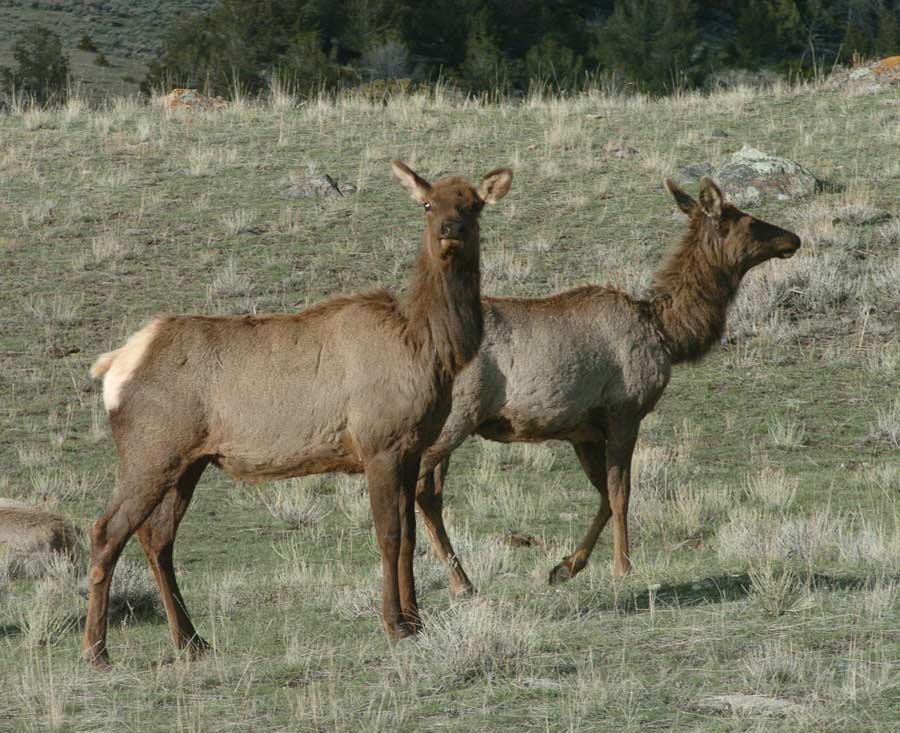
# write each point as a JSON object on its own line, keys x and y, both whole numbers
{"x": 587, "y": 365}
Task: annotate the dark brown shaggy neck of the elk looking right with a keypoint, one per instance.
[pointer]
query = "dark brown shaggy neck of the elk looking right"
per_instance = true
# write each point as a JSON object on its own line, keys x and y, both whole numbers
{"x": 691, "y": 291}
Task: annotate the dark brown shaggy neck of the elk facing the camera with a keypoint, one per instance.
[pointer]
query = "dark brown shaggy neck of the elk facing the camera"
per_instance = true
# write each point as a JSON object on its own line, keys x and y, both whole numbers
{"x": 443, "y": 308}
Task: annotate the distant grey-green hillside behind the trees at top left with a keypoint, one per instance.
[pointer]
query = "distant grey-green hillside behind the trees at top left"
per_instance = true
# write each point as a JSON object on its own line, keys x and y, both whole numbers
{"x": 127, "y": 34}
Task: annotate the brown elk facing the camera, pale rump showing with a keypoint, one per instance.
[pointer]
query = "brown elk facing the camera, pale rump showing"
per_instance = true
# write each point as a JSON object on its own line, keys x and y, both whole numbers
{"x": 359, "y": 383}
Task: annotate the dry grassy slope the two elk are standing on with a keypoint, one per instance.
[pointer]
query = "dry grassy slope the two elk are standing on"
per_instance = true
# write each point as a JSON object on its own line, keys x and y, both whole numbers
{"x": 766, "y": 507}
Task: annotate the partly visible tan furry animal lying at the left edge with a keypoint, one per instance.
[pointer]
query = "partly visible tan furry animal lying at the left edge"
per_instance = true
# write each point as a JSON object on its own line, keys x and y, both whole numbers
{"x": 32, "y": 535}
